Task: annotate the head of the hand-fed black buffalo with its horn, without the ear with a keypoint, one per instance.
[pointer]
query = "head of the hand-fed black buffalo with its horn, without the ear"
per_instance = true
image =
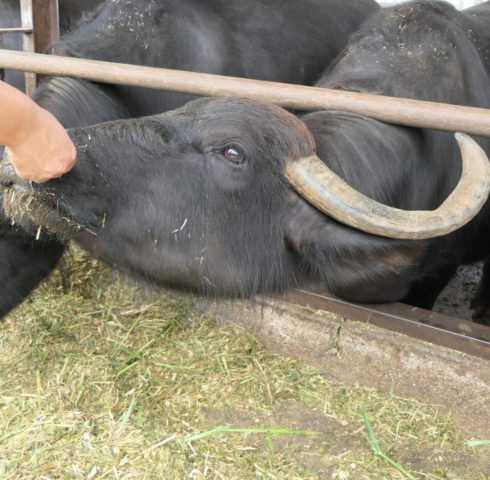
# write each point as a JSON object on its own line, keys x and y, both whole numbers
{"x": 202, "y": 198}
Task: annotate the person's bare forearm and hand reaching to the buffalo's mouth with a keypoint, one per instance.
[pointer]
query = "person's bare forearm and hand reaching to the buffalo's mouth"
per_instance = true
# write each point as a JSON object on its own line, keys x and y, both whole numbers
{"x": 37, "y": 144}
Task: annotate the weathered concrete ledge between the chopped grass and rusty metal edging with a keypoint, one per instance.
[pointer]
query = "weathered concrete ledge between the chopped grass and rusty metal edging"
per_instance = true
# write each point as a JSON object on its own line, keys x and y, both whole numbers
{"x": 355, "y": 352}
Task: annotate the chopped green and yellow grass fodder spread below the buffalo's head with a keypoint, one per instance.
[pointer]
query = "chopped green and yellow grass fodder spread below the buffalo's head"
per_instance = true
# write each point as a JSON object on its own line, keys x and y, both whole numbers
{"x": 101, "y": 379}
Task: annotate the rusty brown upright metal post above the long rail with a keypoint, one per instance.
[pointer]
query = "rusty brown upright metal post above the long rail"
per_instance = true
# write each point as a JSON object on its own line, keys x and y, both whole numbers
{"x": 46, "y": 23}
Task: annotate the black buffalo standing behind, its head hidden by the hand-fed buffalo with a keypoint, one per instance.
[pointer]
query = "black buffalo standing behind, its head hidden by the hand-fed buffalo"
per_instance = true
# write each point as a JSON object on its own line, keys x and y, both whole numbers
{"x": 284, "y": 40}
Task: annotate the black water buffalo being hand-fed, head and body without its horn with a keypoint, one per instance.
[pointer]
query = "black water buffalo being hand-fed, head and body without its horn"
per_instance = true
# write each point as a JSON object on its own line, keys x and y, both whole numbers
{"x": 200, "y": 198}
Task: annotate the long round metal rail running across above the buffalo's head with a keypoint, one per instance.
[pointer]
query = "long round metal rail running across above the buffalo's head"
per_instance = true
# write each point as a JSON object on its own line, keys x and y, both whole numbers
{"x": 415, "y": 113}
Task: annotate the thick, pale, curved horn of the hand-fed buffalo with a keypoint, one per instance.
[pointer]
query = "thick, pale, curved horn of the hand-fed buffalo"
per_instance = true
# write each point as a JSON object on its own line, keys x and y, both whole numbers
{"x": 314, "y": 181}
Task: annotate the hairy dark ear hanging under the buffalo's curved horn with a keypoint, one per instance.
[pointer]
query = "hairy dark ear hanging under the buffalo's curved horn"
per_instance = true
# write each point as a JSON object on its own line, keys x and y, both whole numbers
{"x": 351, "y": 264}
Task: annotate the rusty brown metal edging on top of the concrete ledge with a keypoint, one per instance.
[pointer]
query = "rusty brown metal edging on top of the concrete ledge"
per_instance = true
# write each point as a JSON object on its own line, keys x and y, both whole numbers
{"x": 432, "y": 327}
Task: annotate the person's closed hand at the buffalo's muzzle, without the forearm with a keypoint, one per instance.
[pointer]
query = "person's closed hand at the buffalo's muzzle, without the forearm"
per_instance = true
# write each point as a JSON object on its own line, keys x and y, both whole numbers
{"x": 42, "y": 150}
